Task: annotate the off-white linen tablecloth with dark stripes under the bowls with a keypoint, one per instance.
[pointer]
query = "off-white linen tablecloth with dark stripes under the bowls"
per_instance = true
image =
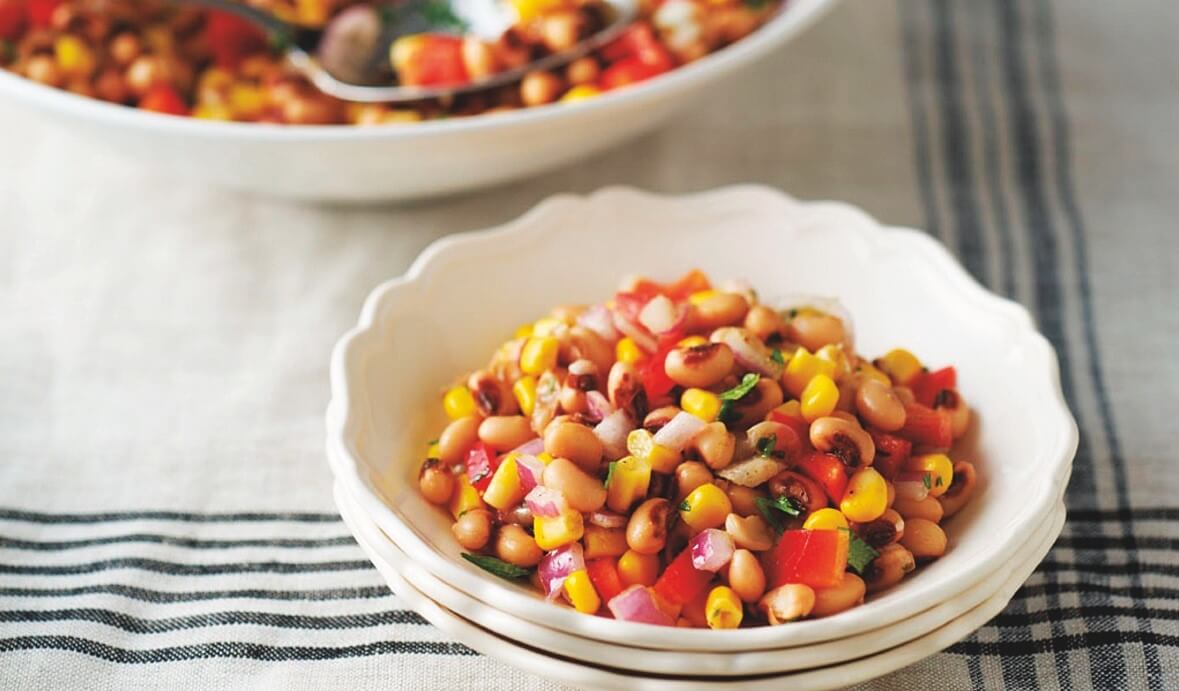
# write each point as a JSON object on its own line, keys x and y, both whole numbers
{"x": 166, "y": 509}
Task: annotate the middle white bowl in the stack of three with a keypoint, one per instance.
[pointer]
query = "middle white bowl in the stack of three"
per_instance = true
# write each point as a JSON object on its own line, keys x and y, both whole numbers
{"x": 621, "y": 656}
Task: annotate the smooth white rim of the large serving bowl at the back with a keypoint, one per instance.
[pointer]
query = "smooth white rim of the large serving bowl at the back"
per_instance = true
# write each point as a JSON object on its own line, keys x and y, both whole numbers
{"x": 795, "y": 17}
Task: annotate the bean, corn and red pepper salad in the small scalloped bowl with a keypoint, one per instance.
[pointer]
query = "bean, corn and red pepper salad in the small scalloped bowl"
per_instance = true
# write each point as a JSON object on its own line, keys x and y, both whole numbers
{"x": 689, "y": 457}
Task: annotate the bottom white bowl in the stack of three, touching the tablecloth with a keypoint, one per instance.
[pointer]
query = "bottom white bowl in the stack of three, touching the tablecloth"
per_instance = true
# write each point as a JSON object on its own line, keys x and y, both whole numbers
{"x": 539, "y": 660}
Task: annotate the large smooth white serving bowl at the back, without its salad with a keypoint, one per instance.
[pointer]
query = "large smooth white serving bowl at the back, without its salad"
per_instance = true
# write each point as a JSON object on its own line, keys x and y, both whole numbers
{"x": 401, "y": 162}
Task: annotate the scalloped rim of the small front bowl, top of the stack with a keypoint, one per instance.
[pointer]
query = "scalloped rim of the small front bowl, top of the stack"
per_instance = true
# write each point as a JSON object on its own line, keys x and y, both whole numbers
{"x": 881, "y": 240}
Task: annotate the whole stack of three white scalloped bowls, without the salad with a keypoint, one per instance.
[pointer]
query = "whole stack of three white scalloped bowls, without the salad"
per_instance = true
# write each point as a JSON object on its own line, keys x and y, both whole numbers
{"x": 465, "y": 293}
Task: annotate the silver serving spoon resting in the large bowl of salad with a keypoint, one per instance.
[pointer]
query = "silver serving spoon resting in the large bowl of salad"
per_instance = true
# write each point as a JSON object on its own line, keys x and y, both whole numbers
{"x": 358, "y": 67}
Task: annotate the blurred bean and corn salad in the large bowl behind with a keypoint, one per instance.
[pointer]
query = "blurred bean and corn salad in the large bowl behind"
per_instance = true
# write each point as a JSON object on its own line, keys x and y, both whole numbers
{"x": 207, "y": 64}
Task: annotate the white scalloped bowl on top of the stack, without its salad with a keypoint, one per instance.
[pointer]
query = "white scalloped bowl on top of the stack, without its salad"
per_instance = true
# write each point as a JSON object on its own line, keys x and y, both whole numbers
{"x": 466, "y": 293}
